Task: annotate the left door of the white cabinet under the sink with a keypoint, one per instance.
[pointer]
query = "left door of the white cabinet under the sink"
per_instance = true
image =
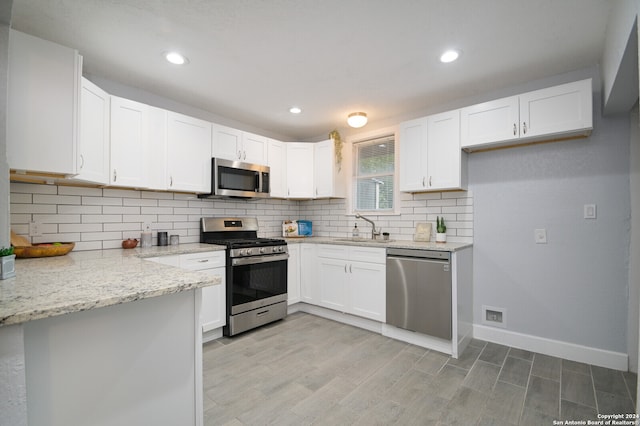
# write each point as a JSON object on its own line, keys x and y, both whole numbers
{"x": 332, "y": 276}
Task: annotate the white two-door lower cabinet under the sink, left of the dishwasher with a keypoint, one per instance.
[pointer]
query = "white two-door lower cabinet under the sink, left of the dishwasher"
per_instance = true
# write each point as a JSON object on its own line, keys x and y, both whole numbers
{"x": 352, "y": 280}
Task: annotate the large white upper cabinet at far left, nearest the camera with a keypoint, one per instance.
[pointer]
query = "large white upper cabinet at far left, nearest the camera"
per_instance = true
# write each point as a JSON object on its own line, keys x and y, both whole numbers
{"x": 43, "y": 97}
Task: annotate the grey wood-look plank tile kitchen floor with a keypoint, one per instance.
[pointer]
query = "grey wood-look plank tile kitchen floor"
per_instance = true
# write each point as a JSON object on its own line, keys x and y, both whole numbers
{"x": 308, "y": 370}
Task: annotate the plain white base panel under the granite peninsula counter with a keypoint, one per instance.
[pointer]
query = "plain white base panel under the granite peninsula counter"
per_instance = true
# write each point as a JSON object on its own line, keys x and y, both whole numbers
{"x": 136, "y": 363}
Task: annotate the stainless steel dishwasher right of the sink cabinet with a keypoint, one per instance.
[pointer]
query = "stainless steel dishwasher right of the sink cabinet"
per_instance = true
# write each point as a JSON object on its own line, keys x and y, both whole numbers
{"x": 419, "y": 291}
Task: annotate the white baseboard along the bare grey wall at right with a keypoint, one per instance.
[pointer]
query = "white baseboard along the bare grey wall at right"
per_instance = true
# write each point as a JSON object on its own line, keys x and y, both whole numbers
{"x": 570, "y": 351}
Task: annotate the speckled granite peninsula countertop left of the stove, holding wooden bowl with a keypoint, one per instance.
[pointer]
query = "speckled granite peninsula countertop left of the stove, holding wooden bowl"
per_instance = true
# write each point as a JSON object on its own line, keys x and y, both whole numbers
{"x": 85, "y": 280}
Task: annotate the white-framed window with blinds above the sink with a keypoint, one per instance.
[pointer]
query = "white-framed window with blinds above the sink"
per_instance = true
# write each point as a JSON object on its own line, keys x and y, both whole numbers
{"x": 374, "y": 169}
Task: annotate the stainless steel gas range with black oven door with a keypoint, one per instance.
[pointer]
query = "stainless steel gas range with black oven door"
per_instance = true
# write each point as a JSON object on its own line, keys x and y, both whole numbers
{"x": 256, "y": 270}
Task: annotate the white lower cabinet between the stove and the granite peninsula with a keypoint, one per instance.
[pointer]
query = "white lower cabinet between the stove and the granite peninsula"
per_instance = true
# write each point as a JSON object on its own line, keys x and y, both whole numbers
{"x": 213, "y": 311}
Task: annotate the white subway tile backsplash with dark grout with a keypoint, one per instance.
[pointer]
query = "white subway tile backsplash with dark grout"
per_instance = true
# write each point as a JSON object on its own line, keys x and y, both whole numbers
{"x": 100, "y": 218}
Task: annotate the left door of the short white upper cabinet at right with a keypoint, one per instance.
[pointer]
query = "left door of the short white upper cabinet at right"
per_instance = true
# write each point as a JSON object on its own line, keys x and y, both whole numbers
{"x": 490, "y": 122}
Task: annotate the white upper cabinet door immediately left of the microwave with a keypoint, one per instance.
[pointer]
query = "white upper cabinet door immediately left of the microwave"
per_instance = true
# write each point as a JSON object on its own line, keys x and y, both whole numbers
{"x": 188, "y": 153}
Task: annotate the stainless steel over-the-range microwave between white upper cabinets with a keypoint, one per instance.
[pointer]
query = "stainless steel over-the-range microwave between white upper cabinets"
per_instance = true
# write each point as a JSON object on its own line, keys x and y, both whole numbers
{"x": 238, "y": 179}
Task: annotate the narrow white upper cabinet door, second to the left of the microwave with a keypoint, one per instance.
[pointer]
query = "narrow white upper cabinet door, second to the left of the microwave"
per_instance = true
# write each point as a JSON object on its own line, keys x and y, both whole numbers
{"x": 156, "y": 156}
